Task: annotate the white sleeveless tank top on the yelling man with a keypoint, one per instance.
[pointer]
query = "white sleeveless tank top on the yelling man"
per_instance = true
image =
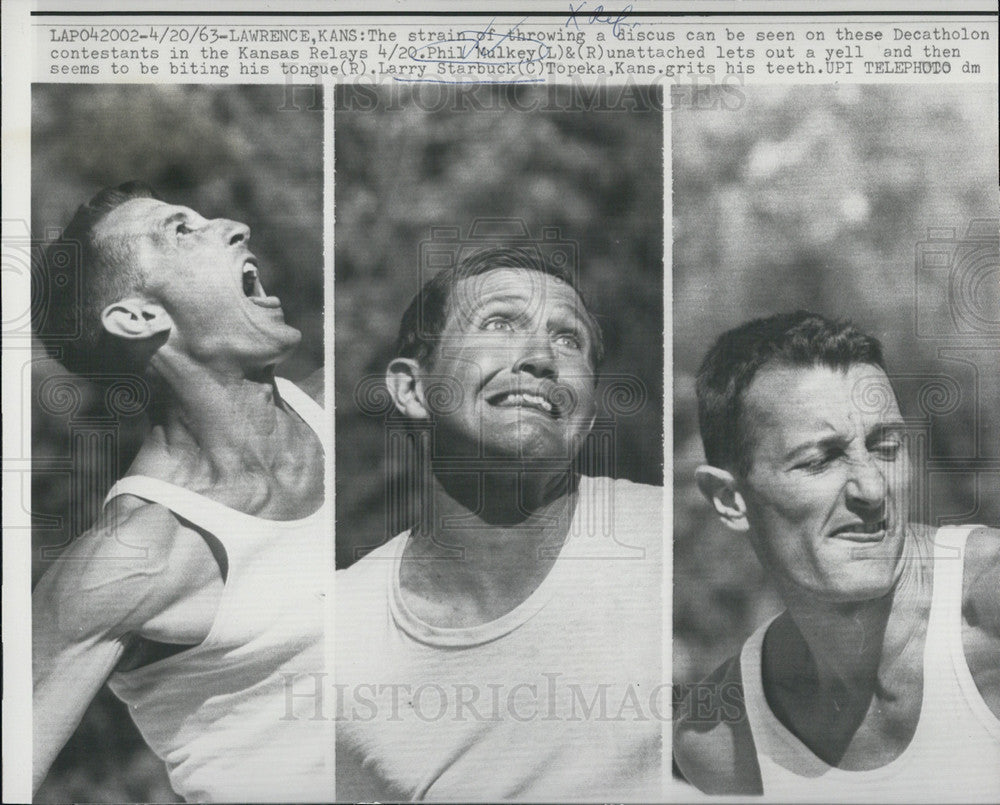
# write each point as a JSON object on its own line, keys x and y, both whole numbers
{"x": 240, "y": 716}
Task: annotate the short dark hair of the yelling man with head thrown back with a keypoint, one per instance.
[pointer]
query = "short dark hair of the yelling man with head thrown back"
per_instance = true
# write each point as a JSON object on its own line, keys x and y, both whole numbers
{"x": 104, "y": 273}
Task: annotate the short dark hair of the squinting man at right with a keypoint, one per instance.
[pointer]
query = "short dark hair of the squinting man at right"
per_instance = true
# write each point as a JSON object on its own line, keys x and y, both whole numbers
{"x": 788, "y": 339}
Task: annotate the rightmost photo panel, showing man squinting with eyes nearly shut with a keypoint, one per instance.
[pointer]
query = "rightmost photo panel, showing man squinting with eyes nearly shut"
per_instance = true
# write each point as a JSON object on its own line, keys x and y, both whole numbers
{"x": 836, "y": 467}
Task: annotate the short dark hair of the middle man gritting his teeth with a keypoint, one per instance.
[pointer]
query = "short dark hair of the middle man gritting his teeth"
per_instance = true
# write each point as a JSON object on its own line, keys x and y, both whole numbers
{"x": 427, "y": 314}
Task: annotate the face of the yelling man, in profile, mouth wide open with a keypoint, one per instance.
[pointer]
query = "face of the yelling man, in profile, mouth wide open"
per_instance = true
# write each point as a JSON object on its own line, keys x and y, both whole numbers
{"x": 203, "y": 273}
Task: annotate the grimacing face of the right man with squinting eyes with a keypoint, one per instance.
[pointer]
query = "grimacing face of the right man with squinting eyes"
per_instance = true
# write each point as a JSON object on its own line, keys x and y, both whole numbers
{"x": 826, "y": 493}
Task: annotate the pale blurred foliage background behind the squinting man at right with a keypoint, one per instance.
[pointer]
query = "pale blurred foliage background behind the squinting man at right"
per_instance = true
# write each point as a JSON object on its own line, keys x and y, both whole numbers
{"x": 822, "y": 198}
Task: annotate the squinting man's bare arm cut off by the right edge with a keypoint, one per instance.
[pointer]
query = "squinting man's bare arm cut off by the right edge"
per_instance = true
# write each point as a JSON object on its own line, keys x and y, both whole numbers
{"x": 981, "y": 613}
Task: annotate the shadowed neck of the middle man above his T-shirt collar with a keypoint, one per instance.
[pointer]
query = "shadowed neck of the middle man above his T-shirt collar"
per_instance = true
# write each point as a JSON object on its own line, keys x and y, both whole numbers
{"x": 487, "y": 540}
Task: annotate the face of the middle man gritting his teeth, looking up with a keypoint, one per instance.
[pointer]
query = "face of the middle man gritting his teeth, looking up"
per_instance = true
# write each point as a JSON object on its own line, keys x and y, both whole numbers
{"x": 516, "y": 351}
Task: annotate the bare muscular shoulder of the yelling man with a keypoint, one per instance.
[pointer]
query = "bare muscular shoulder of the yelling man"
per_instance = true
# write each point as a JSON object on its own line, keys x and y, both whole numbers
{"x": 136, "y": 561}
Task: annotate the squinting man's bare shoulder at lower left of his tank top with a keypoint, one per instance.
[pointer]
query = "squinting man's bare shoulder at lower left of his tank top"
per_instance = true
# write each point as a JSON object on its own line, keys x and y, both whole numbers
{"x": 713, "y": 745}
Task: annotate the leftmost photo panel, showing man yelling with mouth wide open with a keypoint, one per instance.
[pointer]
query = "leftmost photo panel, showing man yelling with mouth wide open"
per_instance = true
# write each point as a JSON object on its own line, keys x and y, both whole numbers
{"x": 181, "y": 545}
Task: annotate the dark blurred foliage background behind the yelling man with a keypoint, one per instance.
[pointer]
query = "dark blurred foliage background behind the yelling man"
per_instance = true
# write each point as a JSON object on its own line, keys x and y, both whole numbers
{"x": 235, "y": 152}
